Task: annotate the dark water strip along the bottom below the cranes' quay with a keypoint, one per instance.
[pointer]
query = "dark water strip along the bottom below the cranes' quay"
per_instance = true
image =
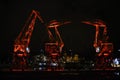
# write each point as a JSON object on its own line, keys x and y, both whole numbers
{"x": 65, "y": 75}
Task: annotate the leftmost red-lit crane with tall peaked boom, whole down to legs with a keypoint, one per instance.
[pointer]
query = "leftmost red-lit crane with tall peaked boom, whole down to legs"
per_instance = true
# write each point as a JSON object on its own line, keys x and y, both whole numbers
{"x": 21, "y": 44}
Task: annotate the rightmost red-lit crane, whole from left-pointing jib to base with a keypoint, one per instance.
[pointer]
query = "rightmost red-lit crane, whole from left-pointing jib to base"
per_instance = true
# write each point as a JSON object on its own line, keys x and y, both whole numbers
{"x": 102, "y": 46}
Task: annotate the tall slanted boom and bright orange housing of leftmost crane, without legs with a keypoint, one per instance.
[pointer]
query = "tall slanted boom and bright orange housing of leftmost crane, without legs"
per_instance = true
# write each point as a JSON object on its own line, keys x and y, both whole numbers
{"x": 23, "y": 39}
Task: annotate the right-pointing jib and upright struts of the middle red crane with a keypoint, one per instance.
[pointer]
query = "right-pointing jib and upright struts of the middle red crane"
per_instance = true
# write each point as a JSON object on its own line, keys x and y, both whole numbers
{"x": 57, "y": 40}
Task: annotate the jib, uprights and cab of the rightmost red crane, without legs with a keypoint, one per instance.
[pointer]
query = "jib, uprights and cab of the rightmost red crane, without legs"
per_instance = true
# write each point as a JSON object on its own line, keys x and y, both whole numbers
{"x": 101, "y": 45}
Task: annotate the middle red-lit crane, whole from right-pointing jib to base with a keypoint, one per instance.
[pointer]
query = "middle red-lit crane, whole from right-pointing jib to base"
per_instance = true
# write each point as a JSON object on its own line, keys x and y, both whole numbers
{"x": 55, "y": 45}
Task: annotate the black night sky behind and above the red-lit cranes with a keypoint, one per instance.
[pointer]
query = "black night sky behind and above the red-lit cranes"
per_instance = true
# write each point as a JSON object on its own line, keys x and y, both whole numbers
{"x": 76, "y": 36}
